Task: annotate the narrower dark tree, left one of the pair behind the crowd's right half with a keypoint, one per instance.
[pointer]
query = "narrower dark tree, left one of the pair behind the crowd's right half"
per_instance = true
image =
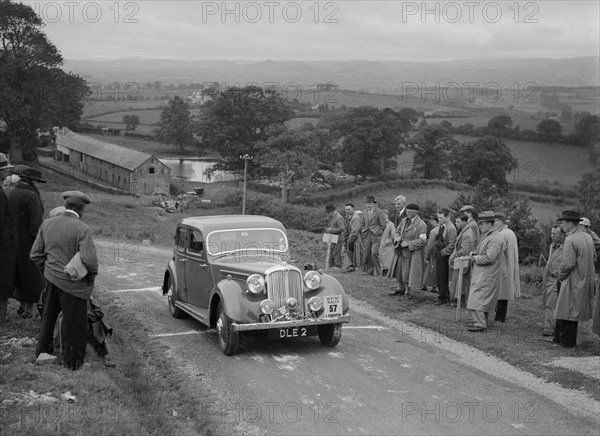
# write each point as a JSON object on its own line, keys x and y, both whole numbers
{"x": 431, "y": 146}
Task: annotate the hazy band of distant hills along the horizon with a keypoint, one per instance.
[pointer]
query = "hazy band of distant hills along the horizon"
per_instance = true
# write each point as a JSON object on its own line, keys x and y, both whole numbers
{"x": 353, "y": 75}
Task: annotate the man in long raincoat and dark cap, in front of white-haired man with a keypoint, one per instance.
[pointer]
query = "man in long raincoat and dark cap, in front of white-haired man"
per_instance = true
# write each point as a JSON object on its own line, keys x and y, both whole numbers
{"x": 407, "y": 265}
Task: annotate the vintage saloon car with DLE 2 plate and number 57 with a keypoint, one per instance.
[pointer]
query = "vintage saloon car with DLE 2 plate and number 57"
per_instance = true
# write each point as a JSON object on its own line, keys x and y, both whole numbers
{"x": 230, "y": 272}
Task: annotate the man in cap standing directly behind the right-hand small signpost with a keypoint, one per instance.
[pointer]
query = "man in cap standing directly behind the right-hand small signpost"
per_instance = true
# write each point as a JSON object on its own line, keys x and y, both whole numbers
{"x": 463, "y": 246}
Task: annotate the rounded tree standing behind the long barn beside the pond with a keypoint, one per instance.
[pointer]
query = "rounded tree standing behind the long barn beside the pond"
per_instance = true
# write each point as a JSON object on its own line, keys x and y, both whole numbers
{"x": 175, "y": 125}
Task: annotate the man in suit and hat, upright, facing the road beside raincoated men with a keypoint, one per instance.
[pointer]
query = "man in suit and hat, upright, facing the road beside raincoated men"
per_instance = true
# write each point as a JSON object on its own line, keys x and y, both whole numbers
{"x": 372, "y": 227}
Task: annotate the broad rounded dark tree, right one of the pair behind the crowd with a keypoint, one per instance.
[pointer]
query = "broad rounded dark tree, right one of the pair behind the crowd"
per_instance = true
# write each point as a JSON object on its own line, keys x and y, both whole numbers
{"x": 488, "y": 157}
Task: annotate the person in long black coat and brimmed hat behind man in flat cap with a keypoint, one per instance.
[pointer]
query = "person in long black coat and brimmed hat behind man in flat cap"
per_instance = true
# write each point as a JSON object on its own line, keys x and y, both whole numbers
{"x": 27, "y": 211}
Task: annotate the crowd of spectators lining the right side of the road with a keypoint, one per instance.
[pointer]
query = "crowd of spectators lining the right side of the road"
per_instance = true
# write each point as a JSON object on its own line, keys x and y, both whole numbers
{"x": 470, "y": 258}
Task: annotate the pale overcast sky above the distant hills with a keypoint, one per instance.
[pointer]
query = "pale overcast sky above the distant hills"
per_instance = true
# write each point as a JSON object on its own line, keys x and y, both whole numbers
{"x": 322, "y": 30}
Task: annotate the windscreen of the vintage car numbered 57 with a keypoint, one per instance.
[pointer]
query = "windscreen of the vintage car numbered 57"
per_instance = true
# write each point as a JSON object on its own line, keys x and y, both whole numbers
{"x": 250, "y": 240}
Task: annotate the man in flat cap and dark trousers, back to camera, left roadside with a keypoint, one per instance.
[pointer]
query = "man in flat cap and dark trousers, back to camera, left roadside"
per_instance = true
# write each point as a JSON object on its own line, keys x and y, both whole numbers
{"x": 60, "y": 238}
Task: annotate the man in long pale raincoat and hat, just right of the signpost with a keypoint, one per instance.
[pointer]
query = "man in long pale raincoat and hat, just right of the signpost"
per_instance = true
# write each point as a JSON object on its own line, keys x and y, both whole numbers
{"x": 486, "y": 271}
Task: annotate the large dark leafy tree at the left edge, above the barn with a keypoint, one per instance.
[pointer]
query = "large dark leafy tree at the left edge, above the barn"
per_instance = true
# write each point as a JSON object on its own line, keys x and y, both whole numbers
{"x": 35, "y": 92}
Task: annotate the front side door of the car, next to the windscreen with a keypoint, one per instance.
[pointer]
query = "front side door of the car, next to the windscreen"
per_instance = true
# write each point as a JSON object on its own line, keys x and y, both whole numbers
{"x": 197, "y": 271}
